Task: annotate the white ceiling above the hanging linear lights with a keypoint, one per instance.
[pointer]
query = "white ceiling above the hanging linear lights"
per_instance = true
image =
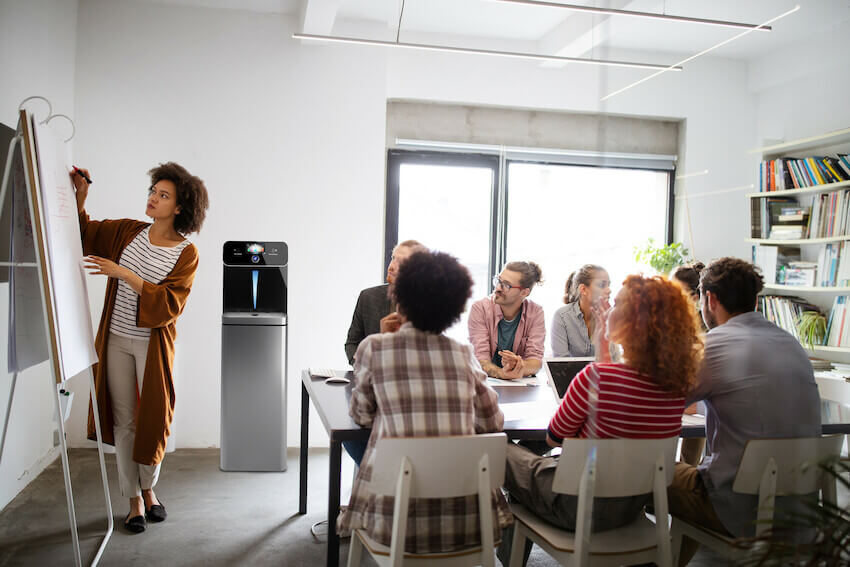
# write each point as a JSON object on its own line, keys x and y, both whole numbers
{"x": 560, "y": 31}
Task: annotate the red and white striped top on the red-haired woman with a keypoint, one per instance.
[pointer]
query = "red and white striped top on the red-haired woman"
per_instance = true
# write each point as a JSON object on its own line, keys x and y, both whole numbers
{"x": 628, "y": 405}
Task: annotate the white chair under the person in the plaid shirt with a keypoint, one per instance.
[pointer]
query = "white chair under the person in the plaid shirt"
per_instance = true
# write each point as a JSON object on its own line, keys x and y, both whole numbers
{"x": 434, "y": 467}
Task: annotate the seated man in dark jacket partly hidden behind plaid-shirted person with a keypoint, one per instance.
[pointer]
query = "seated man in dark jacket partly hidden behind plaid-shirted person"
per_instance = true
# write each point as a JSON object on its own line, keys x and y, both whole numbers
{"x": 374, "y": 306}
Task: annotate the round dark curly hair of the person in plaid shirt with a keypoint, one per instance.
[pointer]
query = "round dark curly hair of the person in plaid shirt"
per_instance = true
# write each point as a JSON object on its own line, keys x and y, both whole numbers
{"x": 431, "y": 290}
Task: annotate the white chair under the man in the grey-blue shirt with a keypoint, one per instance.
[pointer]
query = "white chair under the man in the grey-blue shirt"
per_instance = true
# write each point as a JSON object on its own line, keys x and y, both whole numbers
{"x": 768, "y": 468}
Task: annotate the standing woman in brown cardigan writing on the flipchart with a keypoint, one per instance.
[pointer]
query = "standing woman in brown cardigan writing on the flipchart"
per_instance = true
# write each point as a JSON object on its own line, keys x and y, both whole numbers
{"x": 150, "y": 267}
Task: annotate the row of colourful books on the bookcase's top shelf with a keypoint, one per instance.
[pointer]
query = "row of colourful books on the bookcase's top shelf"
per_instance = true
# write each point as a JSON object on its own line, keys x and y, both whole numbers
{"x": 796, "y": 173}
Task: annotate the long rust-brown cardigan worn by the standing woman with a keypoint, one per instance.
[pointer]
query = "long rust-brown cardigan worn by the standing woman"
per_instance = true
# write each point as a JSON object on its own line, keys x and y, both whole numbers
{"x": 158, "y": 309}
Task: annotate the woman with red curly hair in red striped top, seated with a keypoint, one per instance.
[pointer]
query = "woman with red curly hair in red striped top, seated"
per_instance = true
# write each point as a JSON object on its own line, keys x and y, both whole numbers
{"x": 643, "y": 396}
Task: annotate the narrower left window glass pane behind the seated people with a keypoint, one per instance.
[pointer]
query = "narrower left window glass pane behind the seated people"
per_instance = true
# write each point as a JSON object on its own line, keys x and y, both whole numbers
{"x": 447, "y": 208}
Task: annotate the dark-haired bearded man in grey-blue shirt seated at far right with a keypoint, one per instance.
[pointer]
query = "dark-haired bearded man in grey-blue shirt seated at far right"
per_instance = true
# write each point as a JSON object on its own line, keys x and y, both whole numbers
{"x": 756, "y": 382}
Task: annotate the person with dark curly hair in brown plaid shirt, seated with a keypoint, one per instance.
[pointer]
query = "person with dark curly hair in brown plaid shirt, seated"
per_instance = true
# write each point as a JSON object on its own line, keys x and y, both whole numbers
{"x": 417, "y": 382}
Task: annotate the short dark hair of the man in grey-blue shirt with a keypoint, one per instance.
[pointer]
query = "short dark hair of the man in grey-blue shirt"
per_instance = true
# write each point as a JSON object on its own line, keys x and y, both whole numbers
{"x": 735, "y": 282}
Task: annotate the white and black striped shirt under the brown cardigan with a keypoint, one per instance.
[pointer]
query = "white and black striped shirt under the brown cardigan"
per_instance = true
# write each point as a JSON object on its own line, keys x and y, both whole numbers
{"x": 150, "y": 262}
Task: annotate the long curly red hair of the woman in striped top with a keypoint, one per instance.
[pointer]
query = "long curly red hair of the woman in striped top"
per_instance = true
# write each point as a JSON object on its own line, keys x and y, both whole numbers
{"x": 659, "y": 331}
